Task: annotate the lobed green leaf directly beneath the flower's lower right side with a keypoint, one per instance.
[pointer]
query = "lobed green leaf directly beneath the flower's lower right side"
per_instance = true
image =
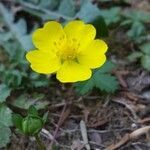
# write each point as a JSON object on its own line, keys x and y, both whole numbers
{"x": 100, "y": 79}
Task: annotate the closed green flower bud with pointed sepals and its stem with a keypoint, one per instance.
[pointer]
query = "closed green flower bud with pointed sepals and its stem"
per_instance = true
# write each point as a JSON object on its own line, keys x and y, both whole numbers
{"x": 31, "y": 125}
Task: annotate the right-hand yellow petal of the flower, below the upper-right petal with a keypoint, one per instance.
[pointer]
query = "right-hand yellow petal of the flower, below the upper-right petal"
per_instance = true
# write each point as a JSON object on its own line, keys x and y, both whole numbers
{"x": 94, "y": 55}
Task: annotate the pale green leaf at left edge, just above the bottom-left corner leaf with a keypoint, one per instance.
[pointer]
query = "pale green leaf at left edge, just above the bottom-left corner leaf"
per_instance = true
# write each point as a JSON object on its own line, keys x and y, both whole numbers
{"x": 5, "y": 116}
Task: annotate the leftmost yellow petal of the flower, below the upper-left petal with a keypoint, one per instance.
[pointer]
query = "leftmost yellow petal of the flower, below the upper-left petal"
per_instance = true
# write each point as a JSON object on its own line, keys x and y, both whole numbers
{"x": 43, "y": 62}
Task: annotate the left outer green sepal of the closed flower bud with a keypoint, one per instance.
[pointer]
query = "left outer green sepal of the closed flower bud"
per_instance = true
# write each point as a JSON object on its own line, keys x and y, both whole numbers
{"x": 17, "y": 121}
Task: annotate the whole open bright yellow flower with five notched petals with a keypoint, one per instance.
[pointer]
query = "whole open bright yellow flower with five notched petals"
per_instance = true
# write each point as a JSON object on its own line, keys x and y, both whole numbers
{"x": 70, "y": 52}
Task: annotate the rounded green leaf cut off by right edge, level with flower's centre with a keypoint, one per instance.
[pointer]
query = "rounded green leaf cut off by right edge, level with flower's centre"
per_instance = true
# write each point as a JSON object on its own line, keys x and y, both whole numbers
{"x": 145, "y": 61}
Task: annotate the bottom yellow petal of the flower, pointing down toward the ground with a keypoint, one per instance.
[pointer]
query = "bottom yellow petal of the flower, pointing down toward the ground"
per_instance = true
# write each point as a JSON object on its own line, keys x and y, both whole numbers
{"x": 71, "y": 71}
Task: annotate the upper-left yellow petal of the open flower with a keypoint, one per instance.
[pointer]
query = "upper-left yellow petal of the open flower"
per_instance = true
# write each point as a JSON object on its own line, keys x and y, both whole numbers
{"x": 45, "y": 38}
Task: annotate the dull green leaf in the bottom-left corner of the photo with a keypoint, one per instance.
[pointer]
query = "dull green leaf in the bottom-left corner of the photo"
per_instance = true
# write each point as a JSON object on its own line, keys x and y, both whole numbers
{"x": 5, "y": 134}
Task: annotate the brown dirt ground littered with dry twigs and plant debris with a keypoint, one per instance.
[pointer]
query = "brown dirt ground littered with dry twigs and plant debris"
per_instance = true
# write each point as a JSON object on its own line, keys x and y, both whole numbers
{"x": 110, "y": 120}
